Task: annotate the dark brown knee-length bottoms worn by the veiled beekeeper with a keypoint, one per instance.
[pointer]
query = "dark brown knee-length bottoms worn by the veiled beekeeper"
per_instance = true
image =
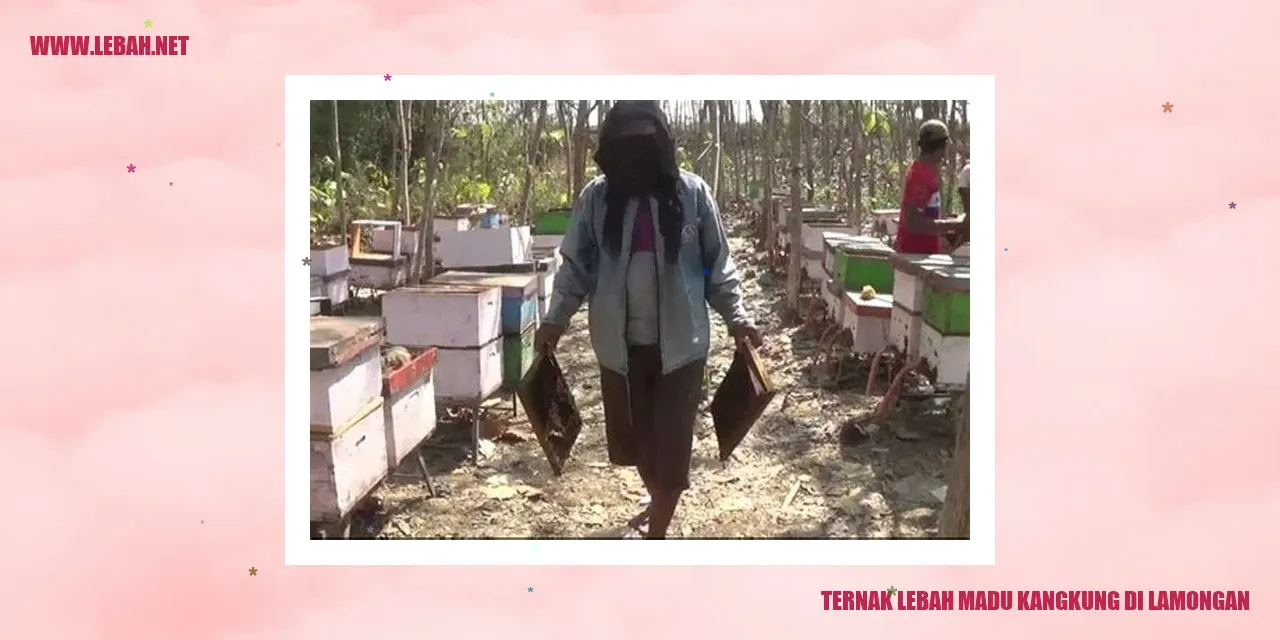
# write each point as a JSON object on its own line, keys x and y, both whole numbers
{"x": 650, "y": 417}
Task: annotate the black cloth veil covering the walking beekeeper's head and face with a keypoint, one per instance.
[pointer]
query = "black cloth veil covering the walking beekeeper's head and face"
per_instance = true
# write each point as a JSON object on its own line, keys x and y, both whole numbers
{"x": 638, "y": 159}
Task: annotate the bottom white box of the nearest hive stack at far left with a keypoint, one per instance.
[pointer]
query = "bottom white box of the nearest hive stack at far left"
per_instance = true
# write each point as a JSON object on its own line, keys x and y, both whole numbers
{"x": 348, "y": 463}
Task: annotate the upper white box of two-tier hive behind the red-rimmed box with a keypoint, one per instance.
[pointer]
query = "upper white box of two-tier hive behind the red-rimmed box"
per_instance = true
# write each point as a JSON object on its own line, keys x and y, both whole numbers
{"x": 444, "y": 316}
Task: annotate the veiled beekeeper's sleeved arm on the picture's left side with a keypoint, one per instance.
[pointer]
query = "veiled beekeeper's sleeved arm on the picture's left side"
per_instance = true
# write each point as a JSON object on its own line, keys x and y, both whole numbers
{"x": 575, "y": 280}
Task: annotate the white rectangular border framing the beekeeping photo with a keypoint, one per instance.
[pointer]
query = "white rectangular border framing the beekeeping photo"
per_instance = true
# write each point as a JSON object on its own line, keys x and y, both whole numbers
{"x": 980, "y": 92}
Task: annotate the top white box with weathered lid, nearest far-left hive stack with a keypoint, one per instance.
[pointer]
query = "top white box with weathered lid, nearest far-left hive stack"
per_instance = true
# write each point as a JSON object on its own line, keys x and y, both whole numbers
{"x": 346, "y": 369}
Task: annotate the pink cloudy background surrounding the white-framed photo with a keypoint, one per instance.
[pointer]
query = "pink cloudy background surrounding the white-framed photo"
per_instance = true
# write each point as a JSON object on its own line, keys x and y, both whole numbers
{"x": 141, "y": 390}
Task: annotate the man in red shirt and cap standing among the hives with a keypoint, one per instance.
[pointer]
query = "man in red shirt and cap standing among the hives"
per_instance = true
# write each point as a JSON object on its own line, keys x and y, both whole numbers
{"x": 921, "y": 225}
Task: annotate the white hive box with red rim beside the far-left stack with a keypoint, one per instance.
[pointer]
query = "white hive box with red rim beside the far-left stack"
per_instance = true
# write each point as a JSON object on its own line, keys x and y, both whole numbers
{"x": 409, "y": 405}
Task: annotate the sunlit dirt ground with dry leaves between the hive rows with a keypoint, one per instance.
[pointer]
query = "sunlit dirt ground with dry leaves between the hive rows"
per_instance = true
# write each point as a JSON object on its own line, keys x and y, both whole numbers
{"x": 790, "y": 478}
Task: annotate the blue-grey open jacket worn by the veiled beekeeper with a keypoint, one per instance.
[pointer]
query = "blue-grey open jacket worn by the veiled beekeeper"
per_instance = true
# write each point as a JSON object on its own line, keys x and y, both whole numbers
{"x": 705, "y": 275}
